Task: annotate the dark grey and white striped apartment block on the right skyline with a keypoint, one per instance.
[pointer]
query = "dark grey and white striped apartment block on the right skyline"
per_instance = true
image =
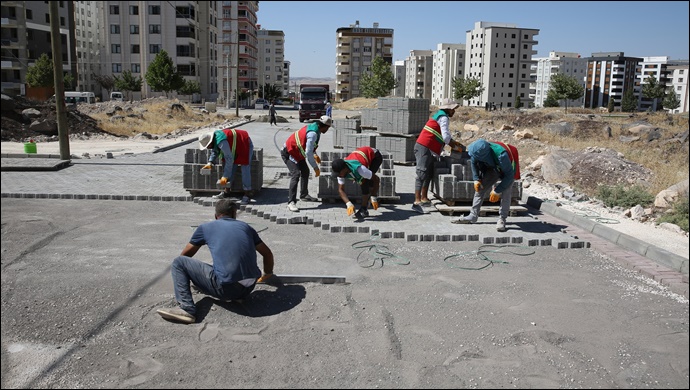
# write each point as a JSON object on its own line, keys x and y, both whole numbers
{"x": 609, "y": 76}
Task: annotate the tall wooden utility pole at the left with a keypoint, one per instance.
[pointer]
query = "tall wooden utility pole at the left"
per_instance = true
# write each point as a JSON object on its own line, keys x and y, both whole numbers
{"x": 60, "y": 108}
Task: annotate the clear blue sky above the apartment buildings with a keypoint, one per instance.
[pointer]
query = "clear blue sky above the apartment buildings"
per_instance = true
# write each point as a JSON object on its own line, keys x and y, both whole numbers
{"x": 638, "y": 29}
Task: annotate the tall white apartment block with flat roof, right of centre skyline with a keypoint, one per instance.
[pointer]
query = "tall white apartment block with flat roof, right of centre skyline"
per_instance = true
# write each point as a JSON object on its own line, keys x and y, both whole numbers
{"x": 500, "y": 56}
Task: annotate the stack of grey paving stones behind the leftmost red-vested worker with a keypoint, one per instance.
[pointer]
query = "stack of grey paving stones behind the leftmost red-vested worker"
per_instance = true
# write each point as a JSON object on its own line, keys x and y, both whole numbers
{"x": 195, "y": 182}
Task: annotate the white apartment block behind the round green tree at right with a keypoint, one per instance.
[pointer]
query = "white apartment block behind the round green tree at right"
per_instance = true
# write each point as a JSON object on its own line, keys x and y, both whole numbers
{"x": 569, "y": 64}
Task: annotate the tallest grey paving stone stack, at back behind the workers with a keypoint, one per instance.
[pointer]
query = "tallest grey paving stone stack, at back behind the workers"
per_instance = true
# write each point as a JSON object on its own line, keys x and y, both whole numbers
{"x": 398, "y": 122}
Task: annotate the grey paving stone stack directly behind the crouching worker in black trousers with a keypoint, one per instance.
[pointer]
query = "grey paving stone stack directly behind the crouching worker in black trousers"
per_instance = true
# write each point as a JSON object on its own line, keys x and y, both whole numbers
{"x": 328, "y": 184}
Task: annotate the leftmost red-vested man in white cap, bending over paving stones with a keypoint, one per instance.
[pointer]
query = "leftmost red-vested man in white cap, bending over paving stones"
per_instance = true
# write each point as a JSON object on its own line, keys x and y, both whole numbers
{"x": 234, "y": 147}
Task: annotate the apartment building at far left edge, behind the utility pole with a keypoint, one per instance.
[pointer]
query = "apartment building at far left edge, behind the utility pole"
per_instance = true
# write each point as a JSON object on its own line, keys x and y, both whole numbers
{"x": 25, "y": 36}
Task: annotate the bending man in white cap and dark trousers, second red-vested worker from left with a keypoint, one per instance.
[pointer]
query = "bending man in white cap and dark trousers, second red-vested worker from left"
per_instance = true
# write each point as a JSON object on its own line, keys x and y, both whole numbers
{"x": 300, "y": 149}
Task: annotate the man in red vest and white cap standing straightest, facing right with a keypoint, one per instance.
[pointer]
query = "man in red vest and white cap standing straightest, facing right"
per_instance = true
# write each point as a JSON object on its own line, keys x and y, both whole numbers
{"x": 430, "y": 143}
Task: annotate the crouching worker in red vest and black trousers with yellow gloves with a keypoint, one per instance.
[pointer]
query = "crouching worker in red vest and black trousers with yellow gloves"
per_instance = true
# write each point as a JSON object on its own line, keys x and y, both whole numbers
{"x": 360, "y": 166}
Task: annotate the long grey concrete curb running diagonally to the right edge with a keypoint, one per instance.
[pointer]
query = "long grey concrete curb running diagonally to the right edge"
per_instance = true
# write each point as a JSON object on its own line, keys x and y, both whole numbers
{"x": 659, "y": 255}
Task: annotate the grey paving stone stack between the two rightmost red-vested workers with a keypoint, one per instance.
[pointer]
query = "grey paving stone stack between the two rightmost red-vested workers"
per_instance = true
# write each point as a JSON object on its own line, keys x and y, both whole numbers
{"x": 454, "y": 183}
